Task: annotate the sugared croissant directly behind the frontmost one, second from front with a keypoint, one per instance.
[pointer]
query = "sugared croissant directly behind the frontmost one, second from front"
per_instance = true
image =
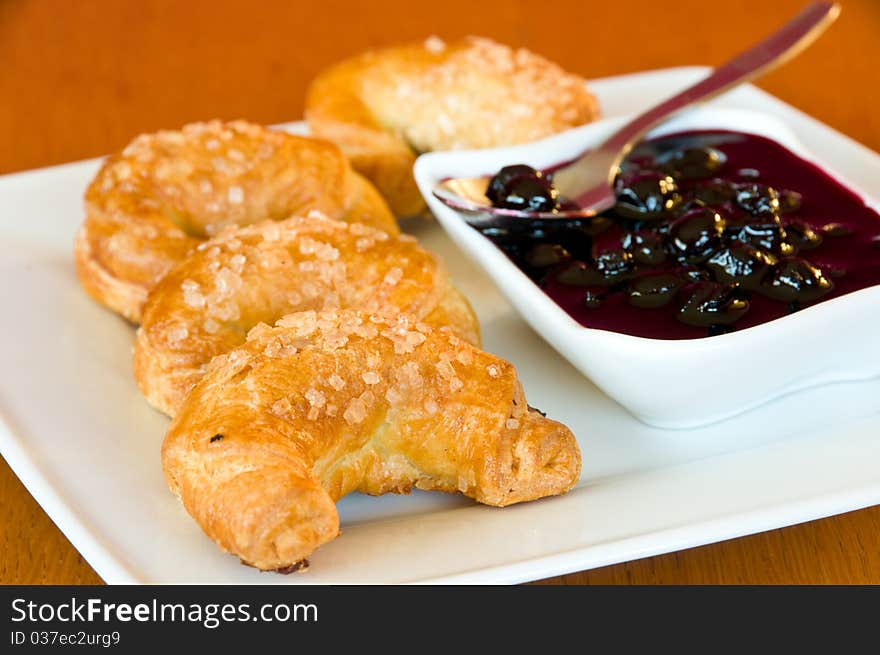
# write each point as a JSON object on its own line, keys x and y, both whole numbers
{"x": 259, "y": 273}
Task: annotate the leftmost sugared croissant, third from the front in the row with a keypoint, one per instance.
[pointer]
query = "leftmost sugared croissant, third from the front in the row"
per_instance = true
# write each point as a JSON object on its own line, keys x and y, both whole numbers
{"x": 151, "y": 204}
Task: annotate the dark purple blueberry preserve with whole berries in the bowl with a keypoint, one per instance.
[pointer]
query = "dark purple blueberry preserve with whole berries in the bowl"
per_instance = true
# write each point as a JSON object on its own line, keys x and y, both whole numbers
{"x": 713, "y": 231}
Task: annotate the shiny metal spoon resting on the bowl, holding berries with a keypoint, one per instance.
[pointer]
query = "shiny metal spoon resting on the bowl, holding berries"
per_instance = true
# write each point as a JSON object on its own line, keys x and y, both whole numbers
{"x": 588, "y": 181}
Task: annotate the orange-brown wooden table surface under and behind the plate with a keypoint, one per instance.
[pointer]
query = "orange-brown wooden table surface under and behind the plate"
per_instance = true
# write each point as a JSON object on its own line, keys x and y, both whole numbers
{"x": 79, "y": 79}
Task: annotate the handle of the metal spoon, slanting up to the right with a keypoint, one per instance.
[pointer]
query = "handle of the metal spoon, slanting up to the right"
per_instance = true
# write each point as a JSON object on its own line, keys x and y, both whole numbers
{"x": 776, "y": 49}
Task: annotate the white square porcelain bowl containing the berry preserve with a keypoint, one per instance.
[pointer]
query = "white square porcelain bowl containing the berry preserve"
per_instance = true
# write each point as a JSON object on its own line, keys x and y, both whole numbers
{"x": 673, "y": 383}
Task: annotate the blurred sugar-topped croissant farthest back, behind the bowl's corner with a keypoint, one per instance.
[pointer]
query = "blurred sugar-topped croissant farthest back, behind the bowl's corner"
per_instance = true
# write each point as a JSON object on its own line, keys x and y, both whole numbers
{"x": 384, "y": 107}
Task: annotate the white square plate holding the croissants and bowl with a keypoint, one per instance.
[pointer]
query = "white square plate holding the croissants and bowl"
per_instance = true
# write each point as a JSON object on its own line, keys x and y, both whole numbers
{"x": 79, "y": 435}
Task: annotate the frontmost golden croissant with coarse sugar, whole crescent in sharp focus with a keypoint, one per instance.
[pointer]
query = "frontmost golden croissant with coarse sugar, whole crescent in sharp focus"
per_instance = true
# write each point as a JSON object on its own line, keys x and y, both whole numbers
{"x": 327, "y": 403}
